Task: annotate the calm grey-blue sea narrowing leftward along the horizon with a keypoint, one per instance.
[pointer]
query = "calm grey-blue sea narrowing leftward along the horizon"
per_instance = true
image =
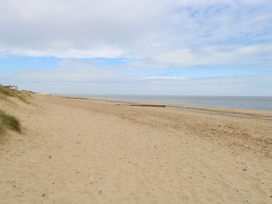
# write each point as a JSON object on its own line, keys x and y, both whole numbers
{"x": 236, "y": 102}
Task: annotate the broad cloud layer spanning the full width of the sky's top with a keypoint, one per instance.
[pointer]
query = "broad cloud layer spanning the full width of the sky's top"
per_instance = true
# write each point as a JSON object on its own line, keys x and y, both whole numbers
{"x": 88, "y": 27}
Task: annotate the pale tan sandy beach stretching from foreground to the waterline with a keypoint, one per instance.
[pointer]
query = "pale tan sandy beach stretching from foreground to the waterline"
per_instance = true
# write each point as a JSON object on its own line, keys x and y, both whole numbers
{"x": 90, "y": 151}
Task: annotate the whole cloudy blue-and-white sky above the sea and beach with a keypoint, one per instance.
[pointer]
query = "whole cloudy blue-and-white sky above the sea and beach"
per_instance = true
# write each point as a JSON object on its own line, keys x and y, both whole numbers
{"x": 138, "y": 47}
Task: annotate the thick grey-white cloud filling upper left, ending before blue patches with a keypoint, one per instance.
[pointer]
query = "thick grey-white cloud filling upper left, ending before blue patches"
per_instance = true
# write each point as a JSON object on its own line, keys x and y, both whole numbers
{"x": 78, "y": 24}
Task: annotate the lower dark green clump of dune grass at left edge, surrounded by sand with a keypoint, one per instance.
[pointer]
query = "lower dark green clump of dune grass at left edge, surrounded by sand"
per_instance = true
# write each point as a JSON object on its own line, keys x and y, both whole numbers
{"x": 9, "y": 122}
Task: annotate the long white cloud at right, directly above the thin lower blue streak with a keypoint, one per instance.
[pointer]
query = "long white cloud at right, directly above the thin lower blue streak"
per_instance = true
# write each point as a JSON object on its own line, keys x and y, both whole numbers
{"x": 209, "y": 56}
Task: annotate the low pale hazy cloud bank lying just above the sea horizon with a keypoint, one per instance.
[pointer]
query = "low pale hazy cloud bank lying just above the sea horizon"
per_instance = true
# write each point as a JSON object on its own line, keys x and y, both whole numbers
{"x": 109, "y": 83}
